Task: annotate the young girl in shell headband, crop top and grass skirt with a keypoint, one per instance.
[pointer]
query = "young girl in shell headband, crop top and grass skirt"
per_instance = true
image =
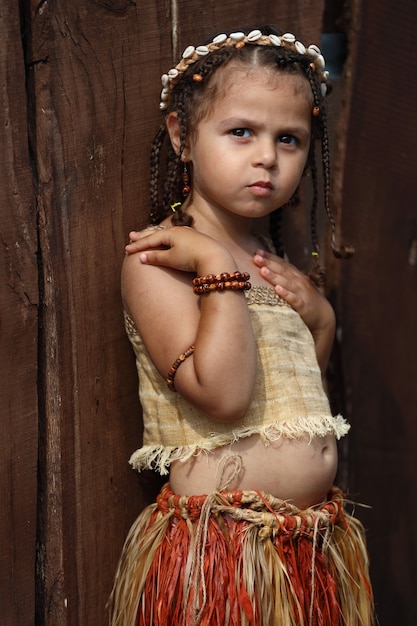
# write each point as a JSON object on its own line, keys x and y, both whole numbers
{"x": 249, "y": 530}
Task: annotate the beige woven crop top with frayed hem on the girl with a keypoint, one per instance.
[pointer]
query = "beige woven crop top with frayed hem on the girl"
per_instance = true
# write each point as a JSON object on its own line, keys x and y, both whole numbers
{"x": 288, "y": 398}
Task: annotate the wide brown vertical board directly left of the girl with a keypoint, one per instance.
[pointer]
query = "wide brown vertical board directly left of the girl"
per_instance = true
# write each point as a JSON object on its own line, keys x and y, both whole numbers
{"x": 90, "y": 129}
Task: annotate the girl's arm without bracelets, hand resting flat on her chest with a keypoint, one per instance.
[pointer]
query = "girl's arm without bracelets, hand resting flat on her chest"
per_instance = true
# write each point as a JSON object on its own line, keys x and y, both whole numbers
{"x": 298, "y": 290}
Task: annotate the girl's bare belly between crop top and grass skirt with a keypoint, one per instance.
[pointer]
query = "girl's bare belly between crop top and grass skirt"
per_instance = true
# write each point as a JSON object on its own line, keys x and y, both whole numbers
{"x": 298, "y": 470}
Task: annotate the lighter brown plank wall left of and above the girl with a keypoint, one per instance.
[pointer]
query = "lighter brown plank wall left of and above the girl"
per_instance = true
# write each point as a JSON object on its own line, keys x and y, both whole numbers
{"x": 80, "y": 92}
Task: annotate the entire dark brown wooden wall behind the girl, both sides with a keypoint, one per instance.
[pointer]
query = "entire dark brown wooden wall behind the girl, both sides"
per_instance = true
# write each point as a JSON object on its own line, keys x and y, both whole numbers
{"x": 79, "y": 105}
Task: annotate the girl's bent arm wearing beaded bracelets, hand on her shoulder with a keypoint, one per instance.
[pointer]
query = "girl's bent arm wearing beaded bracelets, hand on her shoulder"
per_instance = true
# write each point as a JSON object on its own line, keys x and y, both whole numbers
{"x": 157, "y": 292}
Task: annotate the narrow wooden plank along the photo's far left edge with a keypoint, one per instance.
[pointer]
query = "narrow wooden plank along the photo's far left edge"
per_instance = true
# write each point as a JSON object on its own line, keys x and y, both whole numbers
{"x": 18, "y": 336}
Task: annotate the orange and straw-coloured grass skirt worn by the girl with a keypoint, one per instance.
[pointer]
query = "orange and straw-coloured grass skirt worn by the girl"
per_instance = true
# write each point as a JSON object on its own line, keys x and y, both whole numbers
{"x": 242, "y": 558}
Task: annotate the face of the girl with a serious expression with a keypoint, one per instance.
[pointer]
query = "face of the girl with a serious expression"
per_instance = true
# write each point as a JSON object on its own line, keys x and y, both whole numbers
{"x": 248, "y": 154}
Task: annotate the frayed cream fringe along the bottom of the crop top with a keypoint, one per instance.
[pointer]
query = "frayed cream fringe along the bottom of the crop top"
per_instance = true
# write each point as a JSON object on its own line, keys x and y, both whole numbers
{"x": 159, "y": 457}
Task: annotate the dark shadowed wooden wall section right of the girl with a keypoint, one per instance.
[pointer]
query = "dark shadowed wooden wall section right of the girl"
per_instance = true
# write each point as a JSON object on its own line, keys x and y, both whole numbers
{"x": 377, "y": 295}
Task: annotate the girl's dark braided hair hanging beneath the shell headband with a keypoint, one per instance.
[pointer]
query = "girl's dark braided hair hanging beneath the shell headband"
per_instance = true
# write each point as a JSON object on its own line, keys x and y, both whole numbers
{"x": 192, "y": 101}
